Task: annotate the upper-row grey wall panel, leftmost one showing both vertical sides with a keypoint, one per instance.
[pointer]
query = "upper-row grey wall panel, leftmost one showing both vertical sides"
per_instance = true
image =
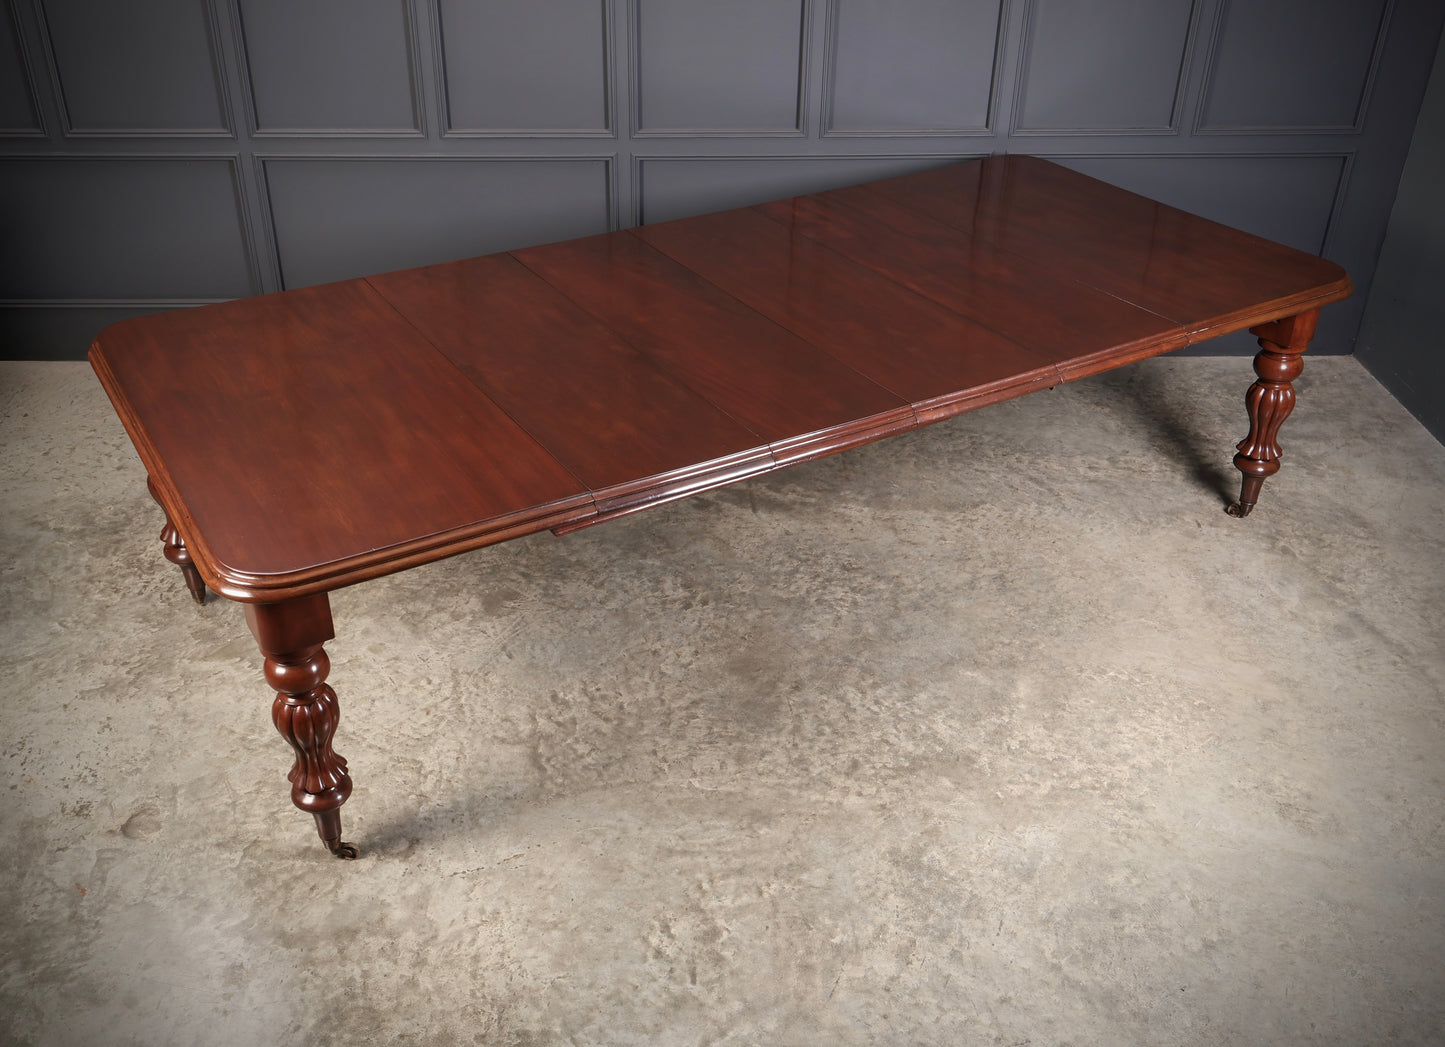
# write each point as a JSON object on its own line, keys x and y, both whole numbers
{"x": 142, "y": 69}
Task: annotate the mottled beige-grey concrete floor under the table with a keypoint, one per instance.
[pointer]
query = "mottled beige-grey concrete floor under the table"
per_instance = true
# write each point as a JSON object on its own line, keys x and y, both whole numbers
{"x": 1001, "y": 733}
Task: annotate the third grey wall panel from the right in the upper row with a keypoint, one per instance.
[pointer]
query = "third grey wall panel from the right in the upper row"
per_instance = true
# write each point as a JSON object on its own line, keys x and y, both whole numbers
{"x": 913, "y": 66}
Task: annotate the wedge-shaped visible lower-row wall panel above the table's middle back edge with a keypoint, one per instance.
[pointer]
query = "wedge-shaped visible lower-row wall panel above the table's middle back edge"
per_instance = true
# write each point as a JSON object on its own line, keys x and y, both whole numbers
{"x": 678, "y": 188}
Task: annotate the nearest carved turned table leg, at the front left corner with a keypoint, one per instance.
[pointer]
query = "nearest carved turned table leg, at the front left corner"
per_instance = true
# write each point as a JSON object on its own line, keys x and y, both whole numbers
{"x": 291, "y": 636}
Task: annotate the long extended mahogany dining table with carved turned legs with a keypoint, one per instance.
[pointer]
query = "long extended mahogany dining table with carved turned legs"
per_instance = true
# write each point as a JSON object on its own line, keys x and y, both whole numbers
{"x": 316, "y": 438}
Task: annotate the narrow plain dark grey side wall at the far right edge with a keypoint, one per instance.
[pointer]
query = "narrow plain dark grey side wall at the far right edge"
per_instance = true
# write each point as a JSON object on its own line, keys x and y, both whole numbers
{"x": 1402, "y": 339}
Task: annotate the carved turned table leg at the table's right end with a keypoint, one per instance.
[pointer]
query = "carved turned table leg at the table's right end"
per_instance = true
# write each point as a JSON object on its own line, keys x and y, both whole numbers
{"x": 1271, "y": 401}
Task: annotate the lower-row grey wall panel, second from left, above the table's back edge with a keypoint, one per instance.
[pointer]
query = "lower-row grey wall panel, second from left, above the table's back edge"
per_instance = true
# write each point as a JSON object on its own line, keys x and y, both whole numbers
{"x": 345, "y": 217}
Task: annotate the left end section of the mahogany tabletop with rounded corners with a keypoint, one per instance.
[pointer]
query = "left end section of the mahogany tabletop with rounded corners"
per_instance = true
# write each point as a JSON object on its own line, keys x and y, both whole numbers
{"x": 319, "y": 425}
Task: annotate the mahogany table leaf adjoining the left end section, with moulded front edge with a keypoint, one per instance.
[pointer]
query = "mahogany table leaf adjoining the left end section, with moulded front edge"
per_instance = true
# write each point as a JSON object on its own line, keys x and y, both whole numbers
{"x": 626, "y": 430}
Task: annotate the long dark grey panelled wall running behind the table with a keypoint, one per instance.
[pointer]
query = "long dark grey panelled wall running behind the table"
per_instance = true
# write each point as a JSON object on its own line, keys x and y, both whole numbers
{"x": 160, "y": 154}
